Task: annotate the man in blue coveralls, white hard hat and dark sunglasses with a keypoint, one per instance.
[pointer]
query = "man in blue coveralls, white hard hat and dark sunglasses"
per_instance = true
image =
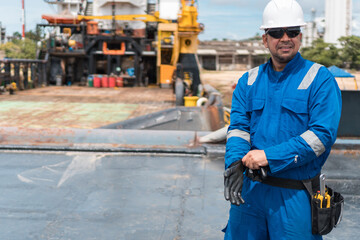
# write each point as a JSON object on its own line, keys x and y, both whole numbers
{"x": 284, "y": 119}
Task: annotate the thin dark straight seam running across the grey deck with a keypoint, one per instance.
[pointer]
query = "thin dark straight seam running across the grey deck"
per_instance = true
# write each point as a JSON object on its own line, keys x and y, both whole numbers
{"x": 186, "y": 151}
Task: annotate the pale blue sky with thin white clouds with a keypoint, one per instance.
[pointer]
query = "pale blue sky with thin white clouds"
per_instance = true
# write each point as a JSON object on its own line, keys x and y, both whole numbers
{"x": 223, "y": 19}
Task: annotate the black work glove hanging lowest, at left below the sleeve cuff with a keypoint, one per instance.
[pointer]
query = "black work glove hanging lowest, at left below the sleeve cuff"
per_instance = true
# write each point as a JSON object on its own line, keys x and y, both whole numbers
{"x": 233, "y": 181}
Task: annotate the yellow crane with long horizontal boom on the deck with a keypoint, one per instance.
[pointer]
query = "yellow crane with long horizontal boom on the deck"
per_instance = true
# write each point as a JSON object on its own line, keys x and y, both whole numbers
{"x": 177, "y": 42}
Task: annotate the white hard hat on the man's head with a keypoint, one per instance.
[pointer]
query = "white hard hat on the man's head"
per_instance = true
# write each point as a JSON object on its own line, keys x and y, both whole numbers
{"x": 282, "y": 13}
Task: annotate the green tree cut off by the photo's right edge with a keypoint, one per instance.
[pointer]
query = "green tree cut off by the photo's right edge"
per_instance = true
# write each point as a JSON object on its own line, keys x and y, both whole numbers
{"x": 350, "y": 52}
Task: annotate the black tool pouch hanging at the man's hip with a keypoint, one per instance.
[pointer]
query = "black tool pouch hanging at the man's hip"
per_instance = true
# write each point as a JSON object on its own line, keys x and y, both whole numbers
{"x": 325, "y": 219}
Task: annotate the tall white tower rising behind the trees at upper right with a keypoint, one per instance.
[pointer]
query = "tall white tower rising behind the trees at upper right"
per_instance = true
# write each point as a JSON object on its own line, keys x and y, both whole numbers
{"x": 338, "y": 16}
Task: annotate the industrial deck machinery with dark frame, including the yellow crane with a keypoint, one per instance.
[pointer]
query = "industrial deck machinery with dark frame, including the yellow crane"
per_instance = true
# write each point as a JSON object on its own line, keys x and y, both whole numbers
{"x": 143, "y": 42}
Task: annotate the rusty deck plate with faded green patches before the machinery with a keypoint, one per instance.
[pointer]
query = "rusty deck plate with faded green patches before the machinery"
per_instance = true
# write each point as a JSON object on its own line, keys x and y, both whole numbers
{"x": 80, "y": 107}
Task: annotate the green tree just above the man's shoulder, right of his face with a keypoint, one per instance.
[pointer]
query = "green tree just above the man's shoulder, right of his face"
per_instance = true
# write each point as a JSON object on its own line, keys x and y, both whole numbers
{"x": 324, "y": 53}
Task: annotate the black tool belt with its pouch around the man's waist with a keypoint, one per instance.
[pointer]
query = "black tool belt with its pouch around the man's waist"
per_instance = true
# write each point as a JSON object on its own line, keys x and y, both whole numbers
{"x": 326, "y": 213}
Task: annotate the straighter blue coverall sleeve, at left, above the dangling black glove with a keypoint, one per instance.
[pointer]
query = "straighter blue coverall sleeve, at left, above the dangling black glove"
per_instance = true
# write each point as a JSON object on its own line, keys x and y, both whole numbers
{"x": 238, "y": 135}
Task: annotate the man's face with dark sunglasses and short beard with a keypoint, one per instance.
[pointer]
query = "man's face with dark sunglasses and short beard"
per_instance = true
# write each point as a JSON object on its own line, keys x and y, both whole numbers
{"x": 282, "y": 48}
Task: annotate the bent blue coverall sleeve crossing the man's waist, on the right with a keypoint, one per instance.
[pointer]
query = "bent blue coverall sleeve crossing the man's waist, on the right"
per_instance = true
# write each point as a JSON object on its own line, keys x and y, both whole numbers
{"x": 324, "y": 117}
